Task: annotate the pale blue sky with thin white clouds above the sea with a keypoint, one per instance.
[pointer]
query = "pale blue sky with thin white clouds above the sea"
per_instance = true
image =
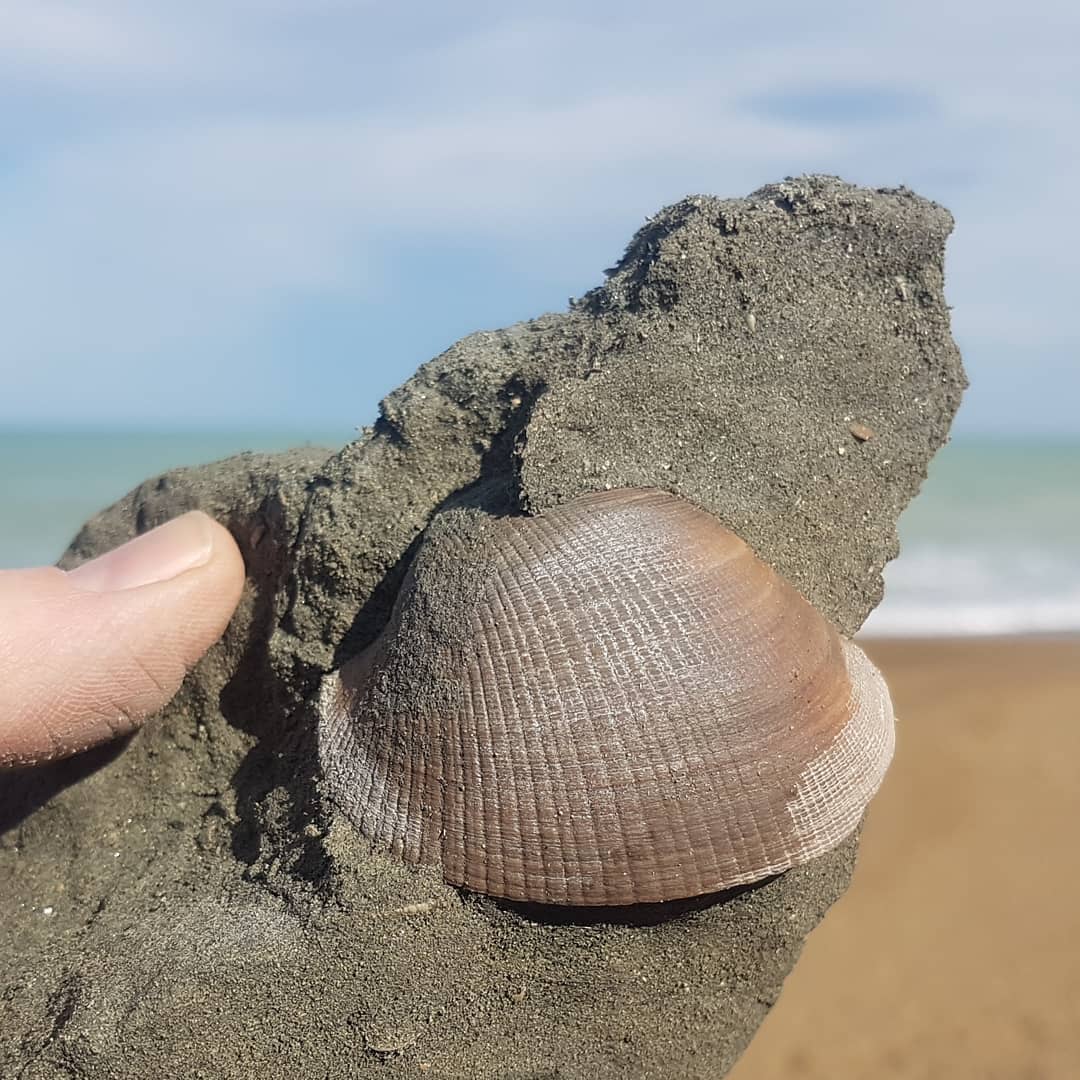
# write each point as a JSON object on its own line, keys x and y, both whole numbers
{"x": 268, "y": 212}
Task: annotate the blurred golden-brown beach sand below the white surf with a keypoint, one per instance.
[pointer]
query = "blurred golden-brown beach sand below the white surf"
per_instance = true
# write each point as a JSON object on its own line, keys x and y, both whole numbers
{"x": 956, "y": 952}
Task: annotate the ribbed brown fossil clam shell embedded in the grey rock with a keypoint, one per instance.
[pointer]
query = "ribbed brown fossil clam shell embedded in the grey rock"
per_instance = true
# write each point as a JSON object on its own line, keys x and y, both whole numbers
{"x": 623, "y": 705}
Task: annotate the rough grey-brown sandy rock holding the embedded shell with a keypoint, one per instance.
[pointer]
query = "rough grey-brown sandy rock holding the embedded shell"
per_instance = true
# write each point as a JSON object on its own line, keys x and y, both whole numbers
{"x": 188, "y": 904}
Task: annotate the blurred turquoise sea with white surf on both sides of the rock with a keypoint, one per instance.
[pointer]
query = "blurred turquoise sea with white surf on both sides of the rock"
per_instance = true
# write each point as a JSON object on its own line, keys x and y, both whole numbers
{"x": 992, "y": 545}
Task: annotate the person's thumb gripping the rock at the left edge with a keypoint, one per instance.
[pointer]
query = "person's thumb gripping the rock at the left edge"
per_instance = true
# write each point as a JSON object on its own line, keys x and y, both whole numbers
{"x": 87, "y": 656}
